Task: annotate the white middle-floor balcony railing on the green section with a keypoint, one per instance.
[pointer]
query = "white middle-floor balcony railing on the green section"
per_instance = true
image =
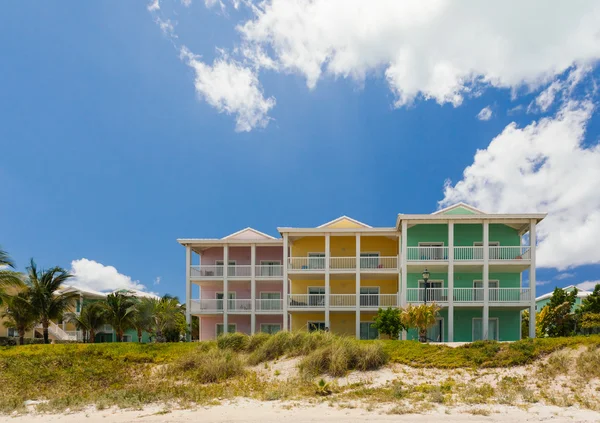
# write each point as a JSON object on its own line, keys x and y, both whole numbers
{"x": 469, "y": 295}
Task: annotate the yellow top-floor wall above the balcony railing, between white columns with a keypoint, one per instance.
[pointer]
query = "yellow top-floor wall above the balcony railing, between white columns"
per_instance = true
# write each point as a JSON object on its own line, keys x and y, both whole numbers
{"x": 345, "y": 246}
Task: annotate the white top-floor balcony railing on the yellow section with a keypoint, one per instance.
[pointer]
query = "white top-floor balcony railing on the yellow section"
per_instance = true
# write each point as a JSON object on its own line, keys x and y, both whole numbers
{"x": 342, "y": 264}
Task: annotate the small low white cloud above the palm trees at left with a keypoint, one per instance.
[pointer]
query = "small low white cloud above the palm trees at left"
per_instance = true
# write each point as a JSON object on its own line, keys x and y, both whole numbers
{"x": 93, "y": 275}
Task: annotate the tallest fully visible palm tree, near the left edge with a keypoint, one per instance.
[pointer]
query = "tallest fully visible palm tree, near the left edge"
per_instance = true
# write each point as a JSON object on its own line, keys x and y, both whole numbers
{"x": 45, "y": 296}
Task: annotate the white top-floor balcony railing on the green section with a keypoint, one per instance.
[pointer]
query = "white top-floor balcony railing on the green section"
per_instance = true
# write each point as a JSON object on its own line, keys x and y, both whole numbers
{"x": 468, "y": 253}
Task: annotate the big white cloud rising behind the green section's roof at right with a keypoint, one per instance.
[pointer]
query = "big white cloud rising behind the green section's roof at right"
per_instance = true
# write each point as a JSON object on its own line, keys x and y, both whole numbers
{"x": 542, "y": 167}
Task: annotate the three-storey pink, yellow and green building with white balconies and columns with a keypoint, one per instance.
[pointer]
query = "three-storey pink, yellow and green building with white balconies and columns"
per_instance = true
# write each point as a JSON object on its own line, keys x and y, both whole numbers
{"x": 339, "y": 274}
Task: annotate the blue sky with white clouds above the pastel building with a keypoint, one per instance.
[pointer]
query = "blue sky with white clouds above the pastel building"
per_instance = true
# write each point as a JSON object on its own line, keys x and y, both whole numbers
{"x": 114, "y": 146}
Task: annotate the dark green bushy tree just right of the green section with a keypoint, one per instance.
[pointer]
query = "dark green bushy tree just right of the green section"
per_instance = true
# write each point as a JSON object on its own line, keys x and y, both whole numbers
{"x": 557, "y": 317}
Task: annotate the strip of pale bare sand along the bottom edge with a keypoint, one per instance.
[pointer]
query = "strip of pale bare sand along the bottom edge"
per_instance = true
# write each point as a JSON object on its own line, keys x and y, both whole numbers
{"x": 255, "y": 411}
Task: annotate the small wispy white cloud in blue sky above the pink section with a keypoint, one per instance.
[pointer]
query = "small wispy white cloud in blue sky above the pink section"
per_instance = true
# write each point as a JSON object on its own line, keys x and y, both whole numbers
{"x": 231, "y": 88}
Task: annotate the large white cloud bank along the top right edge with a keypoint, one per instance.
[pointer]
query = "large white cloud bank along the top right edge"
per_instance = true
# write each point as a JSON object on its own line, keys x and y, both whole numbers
{"x": 439, "y": 49}
